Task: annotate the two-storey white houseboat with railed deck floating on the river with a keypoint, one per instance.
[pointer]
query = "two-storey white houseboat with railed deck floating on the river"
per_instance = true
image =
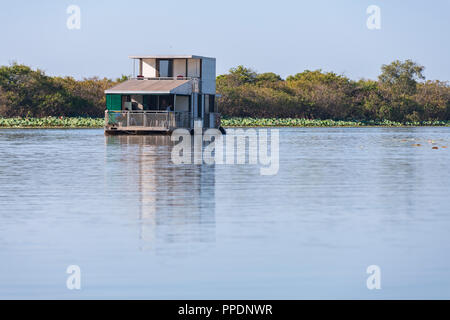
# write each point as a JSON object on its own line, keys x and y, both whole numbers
{"x": 168, "y": 93}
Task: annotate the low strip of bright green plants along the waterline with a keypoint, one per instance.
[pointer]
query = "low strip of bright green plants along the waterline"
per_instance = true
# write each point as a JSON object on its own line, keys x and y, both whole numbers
{"x": 83, "y": 123}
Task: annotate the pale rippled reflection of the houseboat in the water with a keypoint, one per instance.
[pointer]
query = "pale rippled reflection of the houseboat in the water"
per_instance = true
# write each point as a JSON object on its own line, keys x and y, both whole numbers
{"x": 174, "y": 205}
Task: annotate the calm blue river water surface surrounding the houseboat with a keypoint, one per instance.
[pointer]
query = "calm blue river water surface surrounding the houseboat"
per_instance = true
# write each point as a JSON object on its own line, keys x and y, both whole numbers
{"x": 142, "y": 227}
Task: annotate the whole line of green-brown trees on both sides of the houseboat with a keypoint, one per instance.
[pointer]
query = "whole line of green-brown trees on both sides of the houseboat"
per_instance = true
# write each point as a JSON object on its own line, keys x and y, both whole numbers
{"x": 401, "y": 93}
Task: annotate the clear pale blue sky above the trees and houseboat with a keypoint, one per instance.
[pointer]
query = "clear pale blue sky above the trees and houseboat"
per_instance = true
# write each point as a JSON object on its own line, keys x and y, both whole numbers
{"x": 285, "y": 37}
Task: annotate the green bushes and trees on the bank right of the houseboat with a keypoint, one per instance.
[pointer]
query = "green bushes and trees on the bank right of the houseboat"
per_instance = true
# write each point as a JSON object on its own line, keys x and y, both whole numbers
{"x": 399, "y": 95}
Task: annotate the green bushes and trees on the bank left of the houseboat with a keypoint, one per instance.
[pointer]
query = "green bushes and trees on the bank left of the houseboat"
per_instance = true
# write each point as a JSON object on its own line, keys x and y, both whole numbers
{"x": 31, "y": 93}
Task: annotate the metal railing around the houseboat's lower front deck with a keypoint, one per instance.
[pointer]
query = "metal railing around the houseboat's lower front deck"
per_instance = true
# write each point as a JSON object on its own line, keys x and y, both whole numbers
{"x": 151, "y": 120}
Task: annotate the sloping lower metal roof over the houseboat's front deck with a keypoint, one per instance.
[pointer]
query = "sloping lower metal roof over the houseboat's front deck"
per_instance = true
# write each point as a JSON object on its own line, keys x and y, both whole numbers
{"x": 152, "y": 87}
